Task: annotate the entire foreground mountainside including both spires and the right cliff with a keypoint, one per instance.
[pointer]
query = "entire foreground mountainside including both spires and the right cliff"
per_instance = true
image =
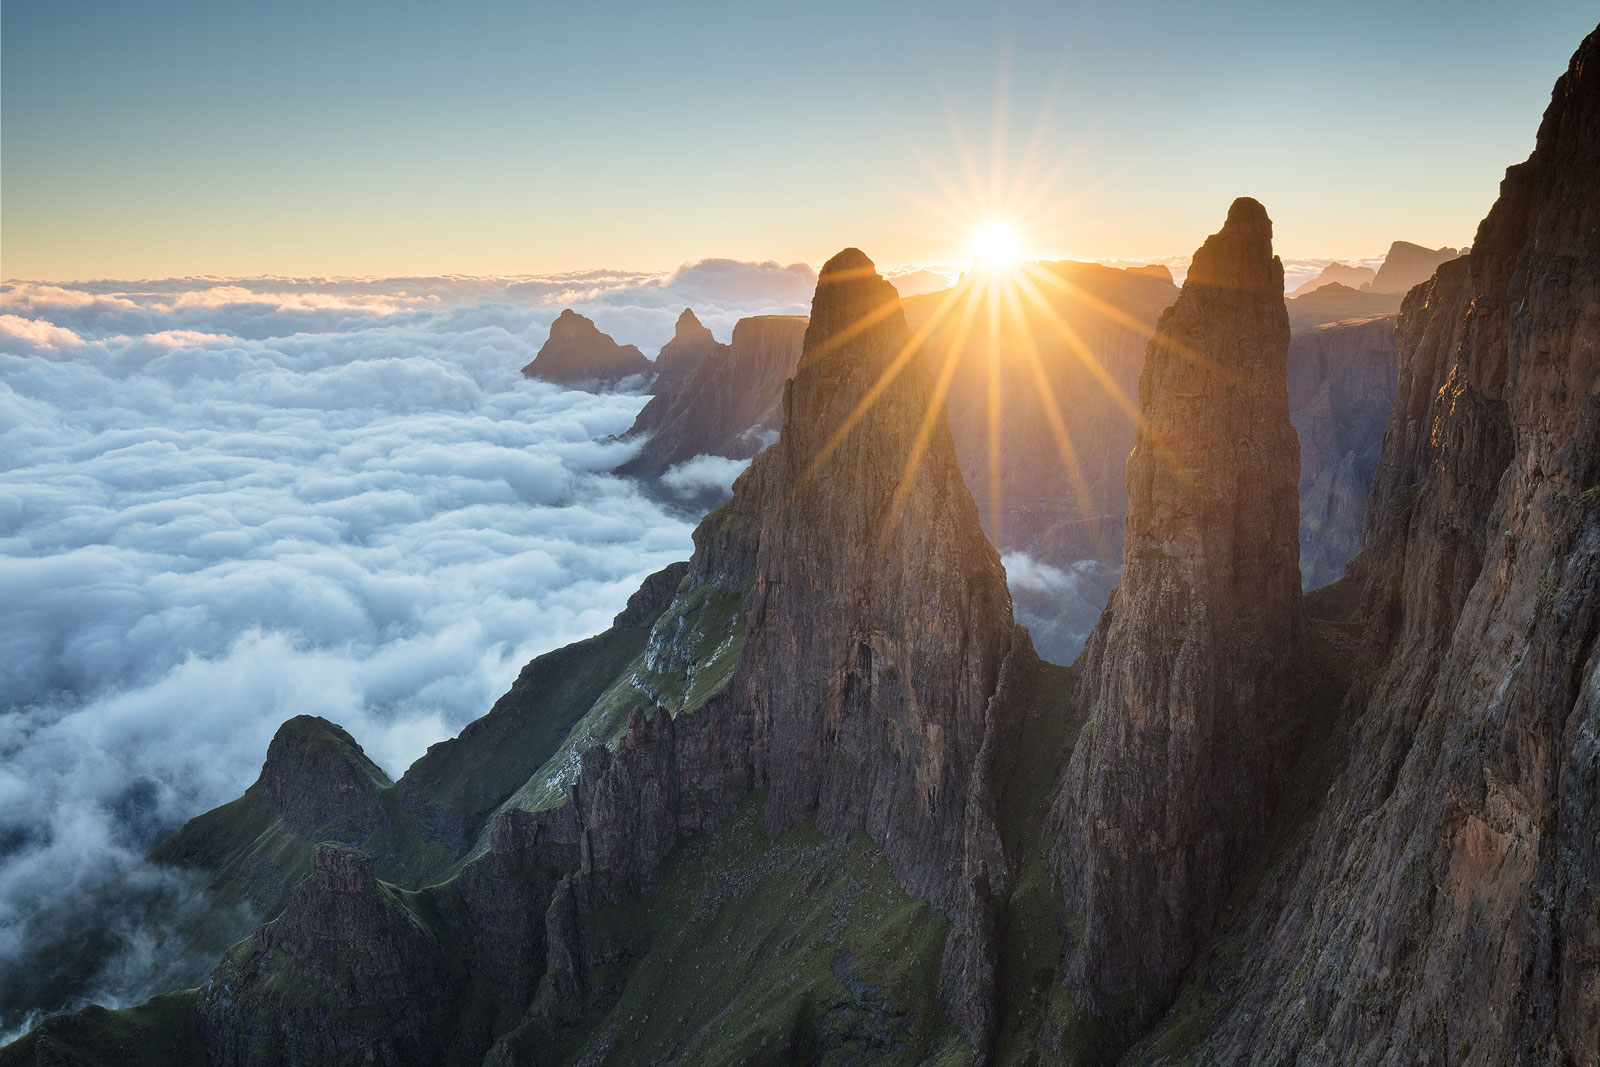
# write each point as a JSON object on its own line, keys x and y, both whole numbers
{"x": 814, "y": 799}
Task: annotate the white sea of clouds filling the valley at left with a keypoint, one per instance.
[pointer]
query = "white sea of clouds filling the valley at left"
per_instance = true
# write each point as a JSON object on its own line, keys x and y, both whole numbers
{"x": 225, "y": 503}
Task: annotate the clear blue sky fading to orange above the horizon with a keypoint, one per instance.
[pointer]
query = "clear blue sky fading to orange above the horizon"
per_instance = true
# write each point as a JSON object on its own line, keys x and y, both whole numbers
{"x": 503, "y": 138}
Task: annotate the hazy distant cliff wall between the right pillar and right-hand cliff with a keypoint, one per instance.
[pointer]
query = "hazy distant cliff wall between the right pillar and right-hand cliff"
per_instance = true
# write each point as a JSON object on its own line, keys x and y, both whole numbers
{"x": 1342, "y": 382}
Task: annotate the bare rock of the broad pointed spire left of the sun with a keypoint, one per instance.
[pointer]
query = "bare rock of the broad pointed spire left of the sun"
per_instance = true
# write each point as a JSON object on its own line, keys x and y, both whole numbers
{"x": 876, "y": 596}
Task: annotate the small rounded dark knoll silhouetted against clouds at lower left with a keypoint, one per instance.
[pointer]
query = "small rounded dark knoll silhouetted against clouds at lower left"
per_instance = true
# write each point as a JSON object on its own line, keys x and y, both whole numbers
{"x": 322, "y": 783}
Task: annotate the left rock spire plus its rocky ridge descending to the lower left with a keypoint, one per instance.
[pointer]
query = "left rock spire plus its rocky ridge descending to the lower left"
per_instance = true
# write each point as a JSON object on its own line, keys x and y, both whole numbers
{"x": 838, "y": 642}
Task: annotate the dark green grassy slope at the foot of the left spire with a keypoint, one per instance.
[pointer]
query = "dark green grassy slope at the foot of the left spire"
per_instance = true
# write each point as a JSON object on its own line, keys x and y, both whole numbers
{"x": 767, "y": 951}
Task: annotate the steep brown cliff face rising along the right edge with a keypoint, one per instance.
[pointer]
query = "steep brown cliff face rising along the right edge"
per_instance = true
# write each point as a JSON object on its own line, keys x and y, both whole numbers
{"x": 1441, "y": 906}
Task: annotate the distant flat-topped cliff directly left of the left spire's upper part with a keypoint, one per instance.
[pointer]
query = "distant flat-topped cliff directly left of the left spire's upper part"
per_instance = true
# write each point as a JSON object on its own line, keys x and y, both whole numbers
{"x": 729, "y": 406}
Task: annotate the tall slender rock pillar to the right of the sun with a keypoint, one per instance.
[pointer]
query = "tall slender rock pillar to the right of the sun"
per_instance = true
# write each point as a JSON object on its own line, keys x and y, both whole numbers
{"x": 1188, "y": 677}
